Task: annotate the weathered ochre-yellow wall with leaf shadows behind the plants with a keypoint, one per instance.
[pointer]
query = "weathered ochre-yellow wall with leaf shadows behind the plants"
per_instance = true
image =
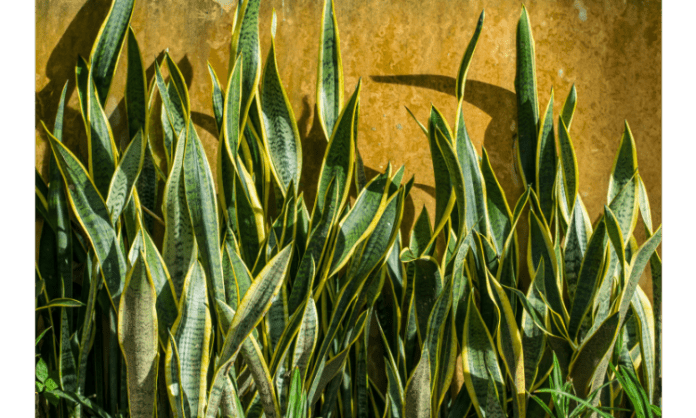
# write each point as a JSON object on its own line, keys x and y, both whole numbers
{"x": 407, "y": 53}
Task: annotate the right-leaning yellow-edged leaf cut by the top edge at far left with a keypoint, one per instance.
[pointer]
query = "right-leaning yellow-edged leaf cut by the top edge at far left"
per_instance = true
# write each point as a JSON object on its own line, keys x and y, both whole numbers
{"x": 107, "y": 48}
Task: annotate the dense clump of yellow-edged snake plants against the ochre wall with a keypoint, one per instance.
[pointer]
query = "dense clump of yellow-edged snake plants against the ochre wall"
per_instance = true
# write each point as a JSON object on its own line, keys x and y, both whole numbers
{"x": 174, "y": 290}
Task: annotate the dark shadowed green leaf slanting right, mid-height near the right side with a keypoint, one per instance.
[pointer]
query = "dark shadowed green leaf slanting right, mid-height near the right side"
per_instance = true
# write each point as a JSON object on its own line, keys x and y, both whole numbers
{"x": 588, "y": 278}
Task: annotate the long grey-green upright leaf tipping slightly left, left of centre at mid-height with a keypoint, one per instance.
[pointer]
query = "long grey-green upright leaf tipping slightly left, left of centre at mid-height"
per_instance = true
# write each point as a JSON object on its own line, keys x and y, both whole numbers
{"x": 202, "y": 207}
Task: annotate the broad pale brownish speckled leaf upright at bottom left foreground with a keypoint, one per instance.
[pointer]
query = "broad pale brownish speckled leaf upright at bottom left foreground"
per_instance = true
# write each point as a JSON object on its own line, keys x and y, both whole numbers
{"x": 137, "y": 332}
